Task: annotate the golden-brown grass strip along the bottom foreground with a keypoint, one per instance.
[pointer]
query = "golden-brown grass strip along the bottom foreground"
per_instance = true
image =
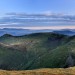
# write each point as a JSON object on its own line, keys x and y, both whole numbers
{"x": 68, "y": 71}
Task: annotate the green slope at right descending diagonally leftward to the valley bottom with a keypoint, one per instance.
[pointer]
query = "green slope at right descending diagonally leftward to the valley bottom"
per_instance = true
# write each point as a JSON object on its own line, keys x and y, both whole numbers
{"x": 56, "y": 57}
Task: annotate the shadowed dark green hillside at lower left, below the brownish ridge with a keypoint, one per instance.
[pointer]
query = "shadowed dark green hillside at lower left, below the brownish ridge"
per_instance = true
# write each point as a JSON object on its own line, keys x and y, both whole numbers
{"x": 11, "y": 58}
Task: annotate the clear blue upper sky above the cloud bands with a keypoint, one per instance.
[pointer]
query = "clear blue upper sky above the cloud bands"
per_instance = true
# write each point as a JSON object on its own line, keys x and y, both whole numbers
{"x": 37, "y": 6}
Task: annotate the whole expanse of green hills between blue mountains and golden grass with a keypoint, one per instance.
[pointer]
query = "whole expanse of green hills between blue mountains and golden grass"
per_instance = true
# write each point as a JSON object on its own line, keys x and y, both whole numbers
{"x": 39, "y": 50}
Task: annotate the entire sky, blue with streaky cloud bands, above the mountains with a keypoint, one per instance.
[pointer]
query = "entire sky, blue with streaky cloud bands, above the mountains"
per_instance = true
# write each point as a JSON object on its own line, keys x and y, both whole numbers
{"x": 47, "y": 7}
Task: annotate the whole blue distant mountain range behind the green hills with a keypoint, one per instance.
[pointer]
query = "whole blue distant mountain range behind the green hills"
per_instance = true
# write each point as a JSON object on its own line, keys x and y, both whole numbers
{"x": 20, "y": 32}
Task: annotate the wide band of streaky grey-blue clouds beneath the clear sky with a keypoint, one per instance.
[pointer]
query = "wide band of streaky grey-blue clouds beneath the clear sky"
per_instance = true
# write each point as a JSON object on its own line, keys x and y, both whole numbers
{"x": 37, "y": 21}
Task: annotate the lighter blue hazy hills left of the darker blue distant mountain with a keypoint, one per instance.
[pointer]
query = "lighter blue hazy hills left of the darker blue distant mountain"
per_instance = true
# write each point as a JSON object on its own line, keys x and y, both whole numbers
{"x": 20, "y": 32}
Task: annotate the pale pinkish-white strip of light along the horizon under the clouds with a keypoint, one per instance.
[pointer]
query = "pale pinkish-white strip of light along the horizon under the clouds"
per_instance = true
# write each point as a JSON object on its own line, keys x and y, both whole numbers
{"x": 42, "y": 27}
